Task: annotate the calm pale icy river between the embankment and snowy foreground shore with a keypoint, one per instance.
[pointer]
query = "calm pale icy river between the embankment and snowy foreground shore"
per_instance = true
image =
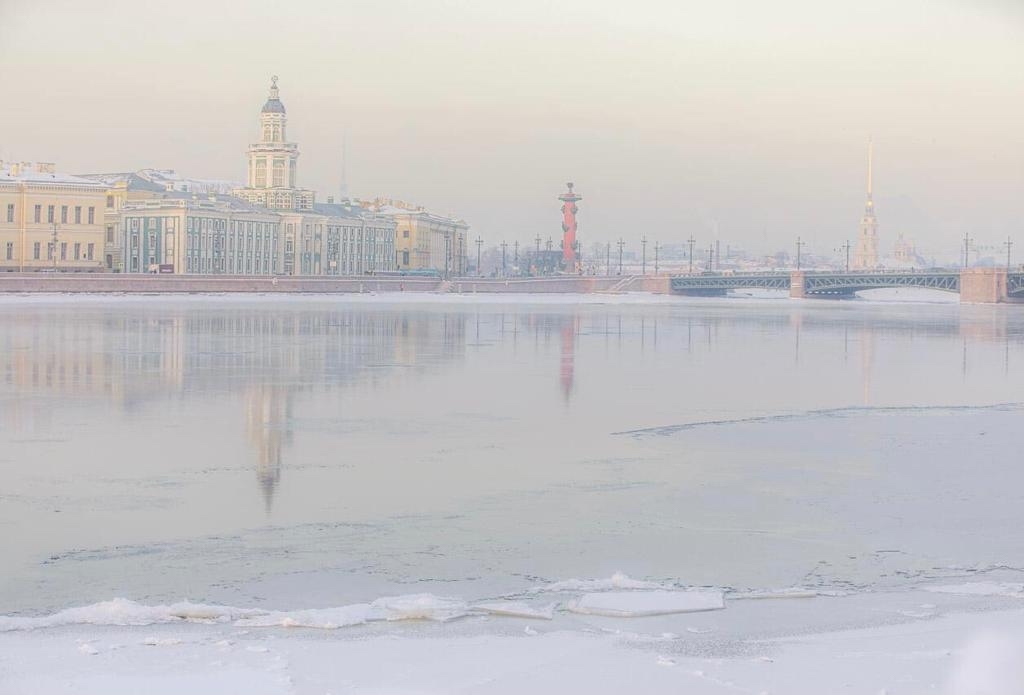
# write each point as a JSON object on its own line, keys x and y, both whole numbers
{"x": 287, "y": 454}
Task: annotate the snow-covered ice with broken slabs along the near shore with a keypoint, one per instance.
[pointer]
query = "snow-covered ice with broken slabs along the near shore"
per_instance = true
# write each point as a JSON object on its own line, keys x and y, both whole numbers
{"x": 612, "y": 637}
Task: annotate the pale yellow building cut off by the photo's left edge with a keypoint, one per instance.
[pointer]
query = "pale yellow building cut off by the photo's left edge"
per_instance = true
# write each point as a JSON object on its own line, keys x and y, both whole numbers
{"x": 50, "y": 222}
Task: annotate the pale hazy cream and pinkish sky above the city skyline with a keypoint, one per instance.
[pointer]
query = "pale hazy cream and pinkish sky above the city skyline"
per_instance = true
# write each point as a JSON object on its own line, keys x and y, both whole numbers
{"x": 671, "y": 117}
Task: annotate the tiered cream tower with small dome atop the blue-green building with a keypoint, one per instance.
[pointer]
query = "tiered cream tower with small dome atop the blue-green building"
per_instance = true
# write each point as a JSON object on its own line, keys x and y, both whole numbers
{"x": 274, "y": 162}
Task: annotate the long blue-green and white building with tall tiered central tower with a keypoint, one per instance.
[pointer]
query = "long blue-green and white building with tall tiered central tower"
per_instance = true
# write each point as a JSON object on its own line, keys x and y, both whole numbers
{"x": 173, "y": 225}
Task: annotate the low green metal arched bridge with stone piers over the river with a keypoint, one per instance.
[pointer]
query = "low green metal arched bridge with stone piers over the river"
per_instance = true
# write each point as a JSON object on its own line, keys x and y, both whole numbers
{"x": 984, "y": 286}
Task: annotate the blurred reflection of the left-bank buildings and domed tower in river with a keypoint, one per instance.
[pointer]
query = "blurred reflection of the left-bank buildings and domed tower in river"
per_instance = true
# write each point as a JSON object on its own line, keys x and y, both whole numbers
{"x": 266, "y": 359}
